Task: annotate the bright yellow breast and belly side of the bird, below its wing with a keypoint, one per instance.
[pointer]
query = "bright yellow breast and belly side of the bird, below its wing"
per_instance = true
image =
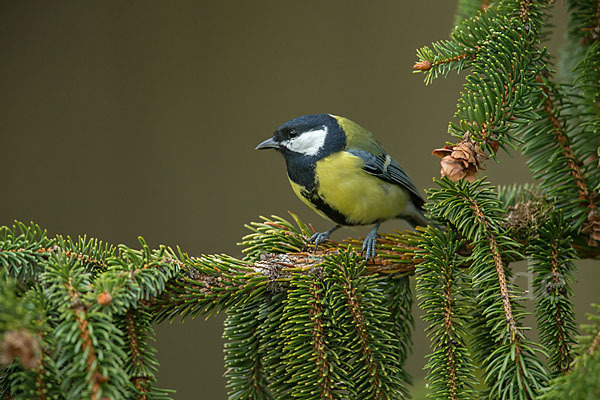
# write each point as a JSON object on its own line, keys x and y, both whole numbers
{"x": 361, "y": 197}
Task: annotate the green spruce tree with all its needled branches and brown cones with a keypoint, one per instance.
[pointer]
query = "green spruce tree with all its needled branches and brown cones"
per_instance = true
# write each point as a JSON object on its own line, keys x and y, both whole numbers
{"x": 77, "y": 315}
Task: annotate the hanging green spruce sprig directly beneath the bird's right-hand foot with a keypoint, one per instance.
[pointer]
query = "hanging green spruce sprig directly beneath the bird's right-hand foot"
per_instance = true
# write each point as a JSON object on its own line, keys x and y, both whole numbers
{"x": 362, "y": 330}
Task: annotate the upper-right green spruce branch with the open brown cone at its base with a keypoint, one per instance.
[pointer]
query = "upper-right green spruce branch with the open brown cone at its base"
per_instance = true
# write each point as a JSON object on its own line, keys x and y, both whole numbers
{"x": 496, "y": 94}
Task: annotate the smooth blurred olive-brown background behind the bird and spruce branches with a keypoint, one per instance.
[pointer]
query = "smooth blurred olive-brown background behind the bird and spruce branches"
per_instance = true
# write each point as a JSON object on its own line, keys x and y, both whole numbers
{"x": 121, "y": 119}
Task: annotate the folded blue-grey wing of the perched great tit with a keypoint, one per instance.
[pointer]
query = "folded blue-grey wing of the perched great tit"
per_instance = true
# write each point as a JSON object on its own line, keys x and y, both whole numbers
{"x": 386, "y": 168}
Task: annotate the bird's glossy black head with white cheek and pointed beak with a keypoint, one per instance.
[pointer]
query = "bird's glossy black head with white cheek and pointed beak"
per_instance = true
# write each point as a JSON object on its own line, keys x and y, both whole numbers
{"x": 310, "y": 136}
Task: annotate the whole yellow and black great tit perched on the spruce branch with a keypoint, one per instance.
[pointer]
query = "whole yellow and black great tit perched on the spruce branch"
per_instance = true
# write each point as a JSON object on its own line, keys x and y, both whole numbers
{"x": 344, "y": 174}
